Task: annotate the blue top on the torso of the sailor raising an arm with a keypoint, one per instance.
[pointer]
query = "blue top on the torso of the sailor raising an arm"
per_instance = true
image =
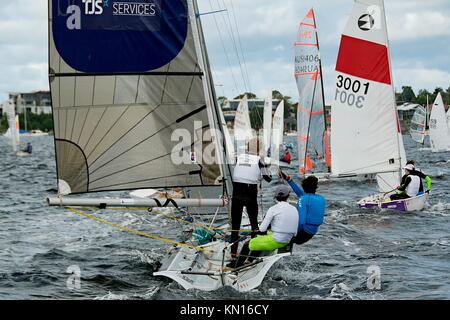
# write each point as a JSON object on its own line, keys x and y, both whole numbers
{"x": 311, "y": 211}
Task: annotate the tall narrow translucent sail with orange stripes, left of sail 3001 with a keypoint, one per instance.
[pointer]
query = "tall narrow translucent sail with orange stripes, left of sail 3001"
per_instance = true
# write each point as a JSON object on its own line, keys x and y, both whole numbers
{"x": 311, "y": 124}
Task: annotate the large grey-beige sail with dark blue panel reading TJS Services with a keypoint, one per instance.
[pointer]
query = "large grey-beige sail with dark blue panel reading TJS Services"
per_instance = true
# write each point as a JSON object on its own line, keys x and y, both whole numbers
{"x": 128, "y": 93}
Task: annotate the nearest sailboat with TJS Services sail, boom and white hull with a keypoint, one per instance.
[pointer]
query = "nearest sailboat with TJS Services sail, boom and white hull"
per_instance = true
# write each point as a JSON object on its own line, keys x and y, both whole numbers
{"x": 134, "y": 107}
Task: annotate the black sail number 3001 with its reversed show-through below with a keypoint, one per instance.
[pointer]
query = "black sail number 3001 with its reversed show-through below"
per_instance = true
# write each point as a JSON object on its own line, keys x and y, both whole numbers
{"x": 351, "y": 95}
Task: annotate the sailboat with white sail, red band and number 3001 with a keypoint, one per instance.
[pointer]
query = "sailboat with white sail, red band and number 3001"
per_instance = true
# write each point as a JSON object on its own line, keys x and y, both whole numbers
{"x": 366, "y": 136}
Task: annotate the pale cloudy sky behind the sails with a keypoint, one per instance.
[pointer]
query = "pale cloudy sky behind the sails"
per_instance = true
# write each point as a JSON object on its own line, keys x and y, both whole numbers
{"x": 419, "y": 34}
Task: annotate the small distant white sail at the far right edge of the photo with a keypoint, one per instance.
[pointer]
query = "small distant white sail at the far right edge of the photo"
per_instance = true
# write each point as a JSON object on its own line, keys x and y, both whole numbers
{"x": 439, "y": 130}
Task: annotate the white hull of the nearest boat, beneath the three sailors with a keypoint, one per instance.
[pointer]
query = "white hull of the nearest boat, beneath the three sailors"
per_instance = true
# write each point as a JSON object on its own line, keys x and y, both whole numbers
{"x": 202, "y": 270}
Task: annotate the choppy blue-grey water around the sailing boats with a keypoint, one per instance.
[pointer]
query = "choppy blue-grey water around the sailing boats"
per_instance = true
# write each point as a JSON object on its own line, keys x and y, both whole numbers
{"x": 38, "y": 243}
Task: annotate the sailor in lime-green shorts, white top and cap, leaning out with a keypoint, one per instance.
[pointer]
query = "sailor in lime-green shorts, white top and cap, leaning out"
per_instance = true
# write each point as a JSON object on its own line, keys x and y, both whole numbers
{"x": 283, "y": 220}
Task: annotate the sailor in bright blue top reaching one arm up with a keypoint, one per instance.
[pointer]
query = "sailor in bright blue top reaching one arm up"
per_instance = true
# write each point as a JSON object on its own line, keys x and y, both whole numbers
{"x": 310, "y": 207}
